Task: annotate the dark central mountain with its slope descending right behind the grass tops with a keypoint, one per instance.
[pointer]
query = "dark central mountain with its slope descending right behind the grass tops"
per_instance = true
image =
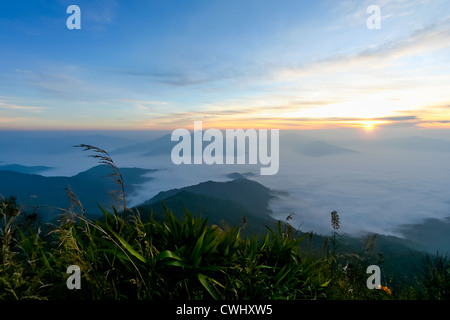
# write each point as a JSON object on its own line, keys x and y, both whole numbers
{"x": 230, "y": 201}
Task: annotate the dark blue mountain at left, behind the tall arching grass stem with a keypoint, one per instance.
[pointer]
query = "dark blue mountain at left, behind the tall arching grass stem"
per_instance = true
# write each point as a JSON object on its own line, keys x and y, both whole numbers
{"x": 92, "y": 187}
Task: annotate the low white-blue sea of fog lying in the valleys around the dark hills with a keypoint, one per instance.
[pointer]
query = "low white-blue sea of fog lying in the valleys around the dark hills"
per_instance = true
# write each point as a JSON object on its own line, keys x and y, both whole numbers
{"x": 375, "y": 189}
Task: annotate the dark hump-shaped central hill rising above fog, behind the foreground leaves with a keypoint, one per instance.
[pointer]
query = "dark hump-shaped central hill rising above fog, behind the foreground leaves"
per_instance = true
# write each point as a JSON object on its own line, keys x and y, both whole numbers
{"x": 219, "y": 201}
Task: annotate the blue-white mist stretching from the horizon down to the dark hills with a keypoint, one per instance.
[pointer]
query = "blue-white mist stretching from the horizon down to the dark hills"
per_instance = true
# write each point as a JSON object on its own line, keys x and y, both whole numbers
{"x": 375, "y": 186}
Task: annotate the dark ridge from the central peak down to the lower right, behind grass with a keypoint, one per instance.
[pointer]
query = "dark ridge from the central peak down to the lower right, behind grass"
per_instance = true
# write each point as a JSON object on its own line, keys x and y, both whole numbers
{"x": 398, "y": 256}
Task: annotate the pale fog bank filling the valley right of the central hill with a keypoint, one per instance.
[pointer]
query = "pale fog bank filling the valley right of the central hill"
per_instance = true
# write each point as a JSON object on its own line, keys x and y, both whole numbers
{"x": 377, "y": 189}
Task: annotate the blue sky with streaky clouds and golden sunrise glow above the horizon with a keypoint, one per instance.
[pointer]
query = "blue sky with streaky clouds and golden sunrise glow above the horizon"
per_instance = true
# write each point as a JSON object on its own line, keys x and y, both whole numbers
{"x": 162, "y": 64}
